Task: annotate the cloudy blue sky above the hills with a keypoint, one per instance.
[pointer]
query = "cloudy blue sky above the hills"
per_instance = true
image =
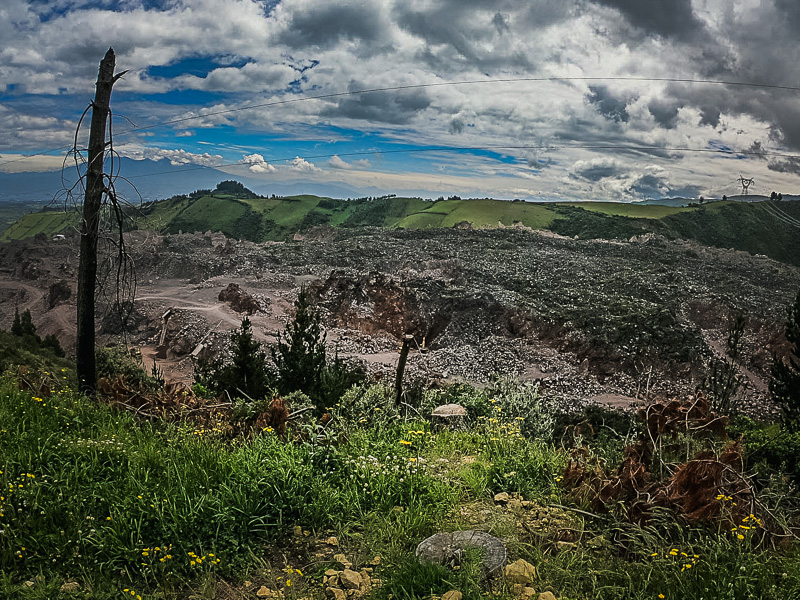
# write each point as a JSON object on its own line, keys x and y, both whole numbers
{"x": 620, "y": 100}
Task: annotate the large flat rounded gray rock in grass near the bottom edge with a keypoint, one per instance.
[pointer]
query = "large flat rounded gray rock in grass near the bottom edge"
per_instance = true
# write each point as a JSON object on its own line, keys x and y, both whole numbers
{"x": 448, "y": 549}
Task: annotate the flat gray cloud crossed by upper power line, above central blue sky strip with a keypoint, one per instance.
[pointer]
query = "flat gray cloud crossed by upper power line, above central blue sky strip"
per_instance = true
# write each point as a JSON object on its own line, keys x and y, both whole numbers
{"x": 385, "y": 107}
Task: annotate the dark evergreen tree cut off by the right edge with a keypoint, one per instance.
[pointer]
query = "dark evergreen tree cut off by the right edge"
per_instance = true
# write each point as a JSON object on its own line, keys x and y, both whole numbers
{"x": 785, "y": 384}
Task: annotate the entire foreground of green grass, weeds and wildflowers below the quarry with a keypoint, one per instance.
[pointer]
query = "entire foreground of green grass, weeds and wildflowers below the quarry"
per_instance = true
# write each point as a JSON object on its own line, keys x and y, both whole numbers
{"x": 100, "y": 502}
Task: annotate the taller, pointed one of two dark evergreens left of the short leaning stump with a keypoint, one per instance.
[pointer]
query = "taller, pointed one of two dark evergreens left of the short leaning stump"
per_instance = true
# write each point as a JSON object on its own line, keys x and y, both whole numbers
{"x": 300, "y": 352}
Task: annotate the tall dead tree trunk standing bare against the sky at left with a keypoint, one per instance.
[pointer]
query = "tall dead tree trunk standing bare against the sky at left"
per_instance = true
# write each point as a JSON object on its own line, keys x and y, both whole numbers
{"x": 90, "y": 224}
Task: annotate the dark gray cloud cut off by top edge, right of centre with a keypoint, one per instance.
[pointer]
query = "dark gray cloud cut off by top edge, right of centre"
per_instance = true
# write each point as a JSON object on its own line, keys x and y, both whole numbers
{"x": 668, "y": 18}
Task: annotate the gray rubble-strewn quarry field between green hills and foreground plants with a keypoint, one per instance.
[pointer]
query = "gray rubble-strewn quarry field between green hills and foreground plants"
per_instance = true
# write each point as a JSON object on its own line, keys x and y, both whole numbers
{"x": 590, "y": 320}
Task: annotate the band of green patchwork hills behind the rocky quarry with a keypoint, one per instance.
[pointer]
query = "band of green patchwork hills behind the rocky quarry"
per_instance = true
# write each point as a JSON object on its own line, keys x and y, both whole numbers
{"x": 766, "y": 228}
